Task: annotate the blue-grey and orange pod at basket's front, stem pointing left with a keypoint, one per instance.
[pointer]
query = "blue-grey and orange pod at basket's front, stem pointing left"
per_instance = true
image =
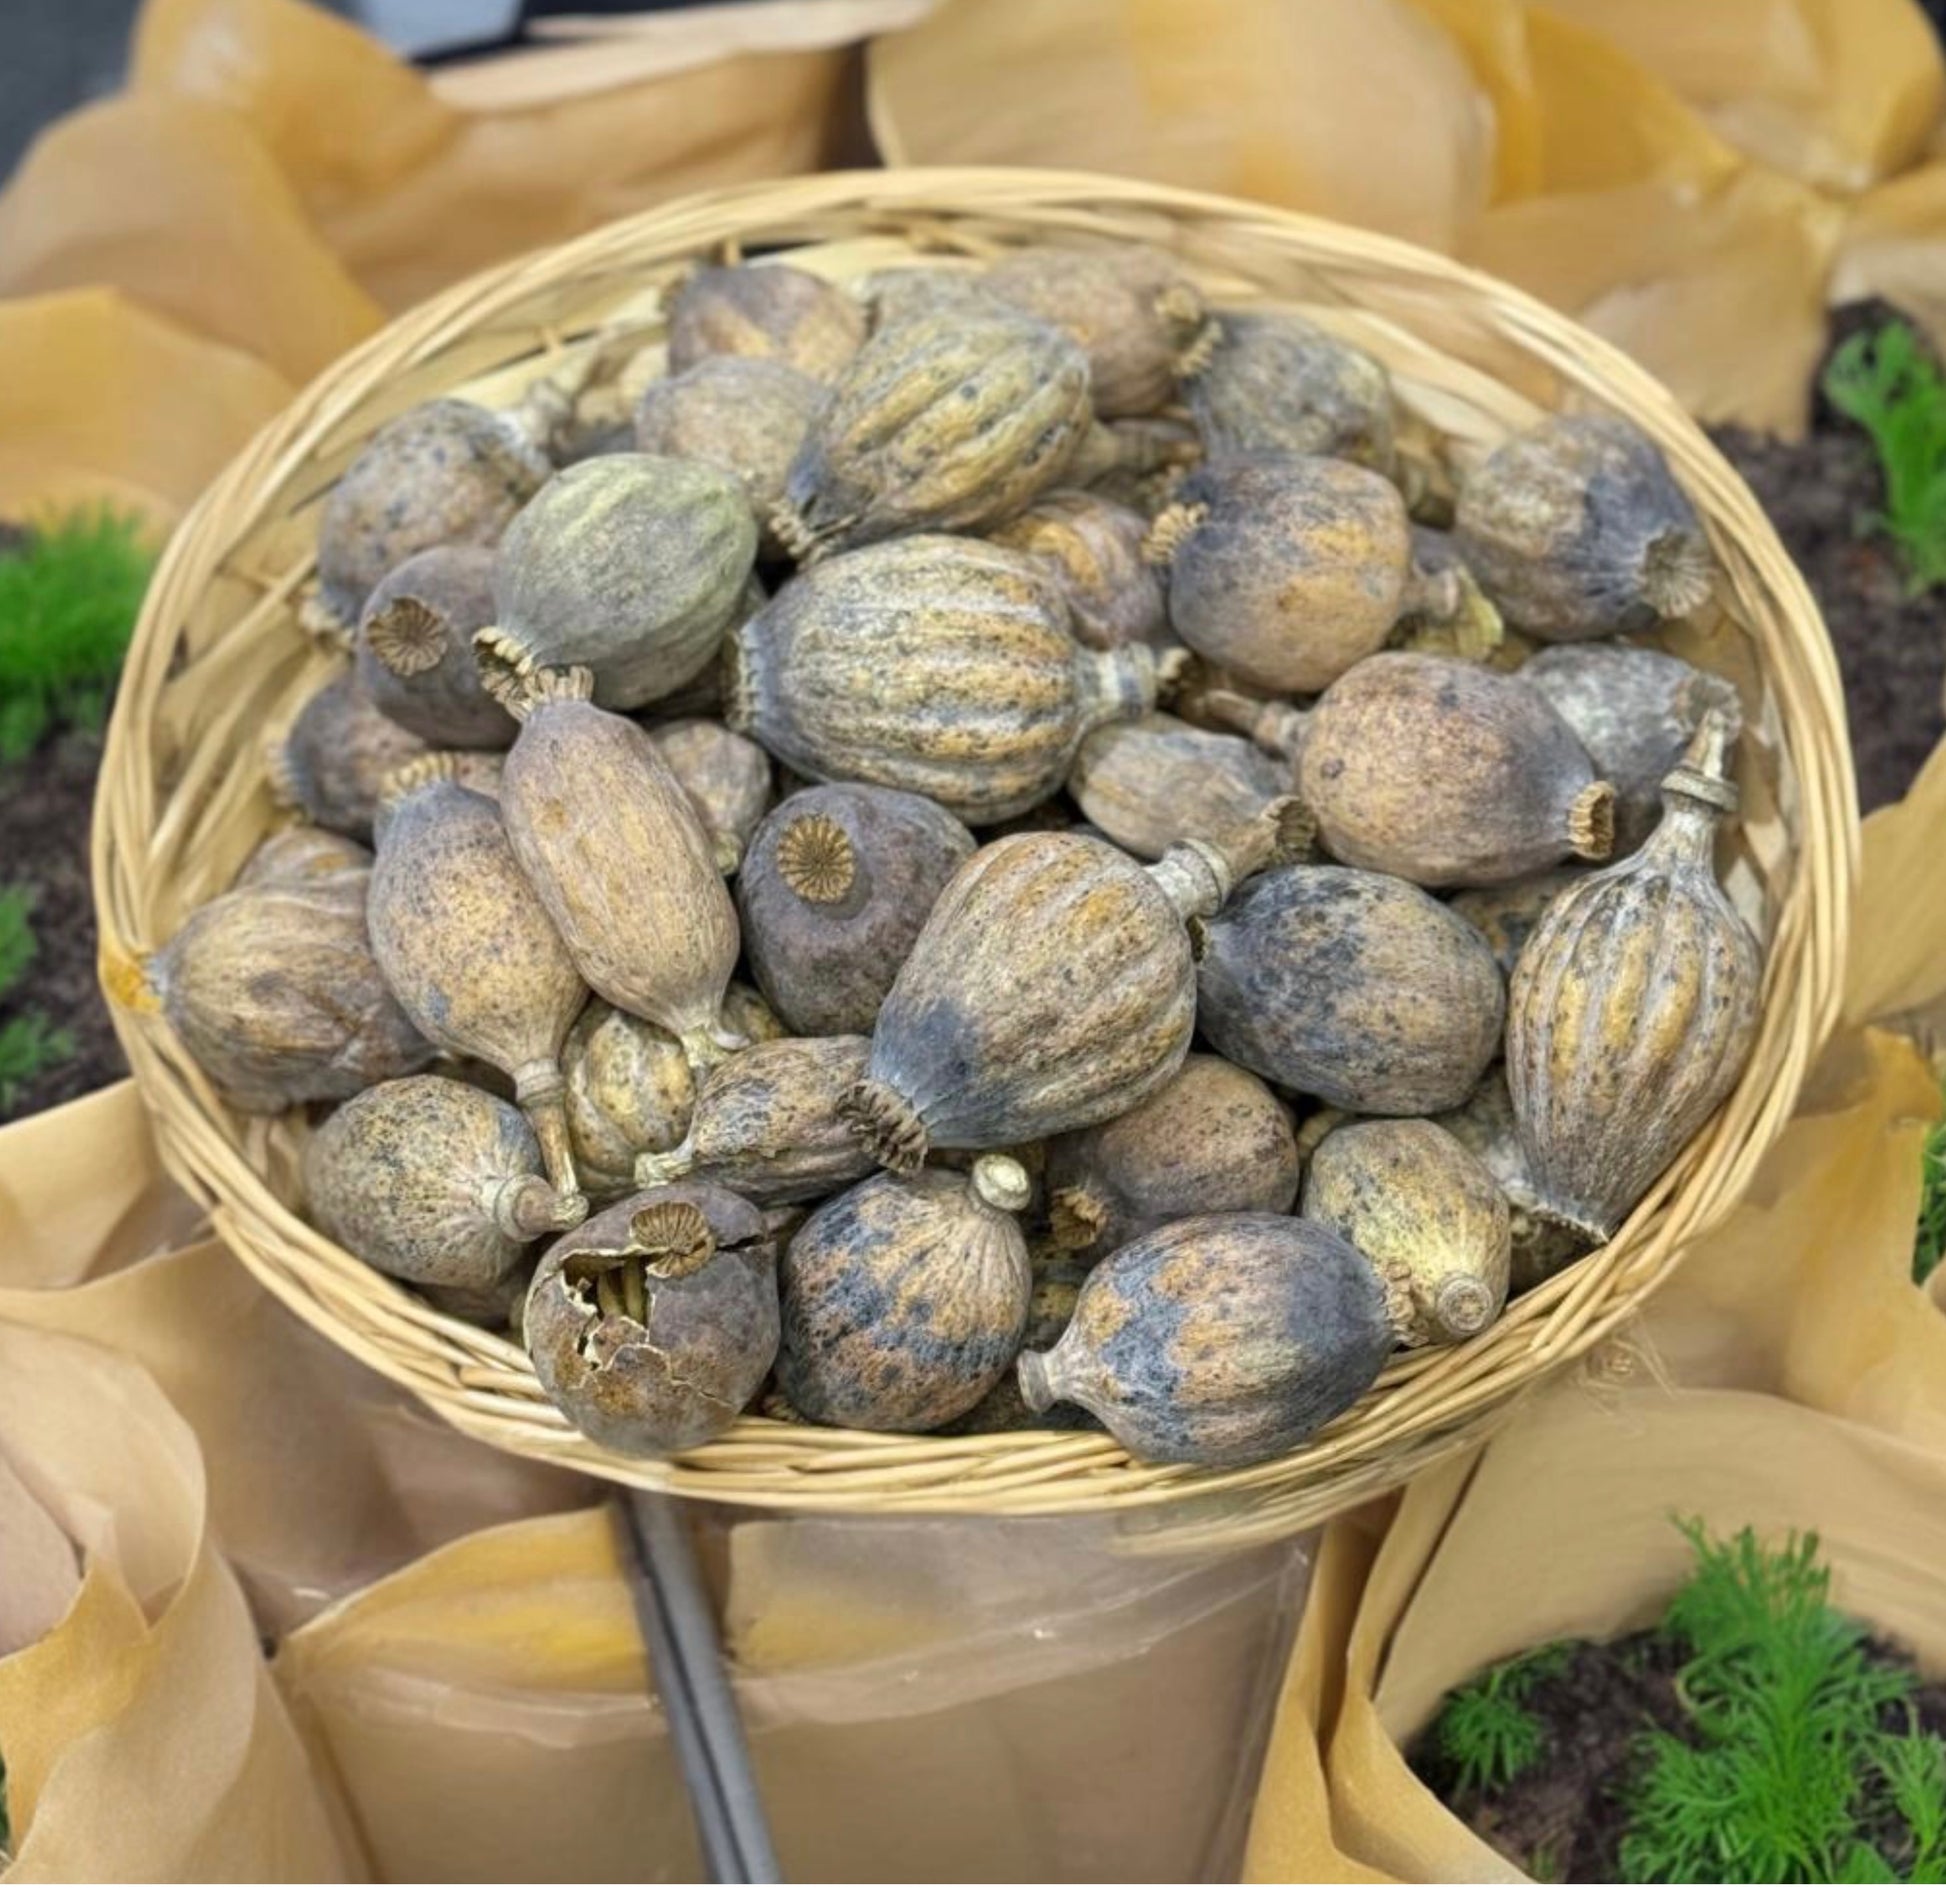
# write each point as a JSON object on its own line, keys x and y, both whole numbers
{"x": 1219, "y": 1340}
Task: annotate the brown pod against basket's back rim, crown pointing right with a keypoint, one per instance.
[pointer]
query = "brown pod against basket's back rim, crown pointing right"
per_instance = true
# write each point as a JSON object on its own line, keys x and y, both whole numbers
{"x": 1132, "y": 309}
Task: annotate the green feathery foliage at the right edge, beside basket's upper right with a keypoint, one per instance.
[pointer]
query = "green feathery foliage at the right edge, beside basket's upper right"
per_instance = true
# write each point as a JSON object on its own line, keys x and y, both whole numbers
{"x": 1892, "y": 388}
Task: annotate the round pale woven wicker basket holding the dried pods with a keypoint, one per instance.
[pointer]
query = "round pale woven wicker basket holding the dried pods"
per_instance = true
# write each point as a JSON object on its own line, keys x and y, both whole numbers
{"x": 219, "y": 659}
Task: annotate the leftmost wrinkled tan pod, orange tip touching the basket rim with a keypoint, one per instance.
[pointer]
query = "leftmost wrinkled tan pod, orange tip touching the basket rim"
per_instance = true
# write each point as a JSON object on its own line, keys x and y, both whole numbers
{"x": 275, "y": 994}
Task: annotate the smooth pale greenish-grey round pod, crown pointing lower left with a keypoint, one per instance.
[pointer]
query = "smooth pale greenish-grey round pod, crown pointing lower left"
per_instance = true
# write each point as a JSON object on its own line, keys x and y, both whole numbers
{"x": 630, "y": 565}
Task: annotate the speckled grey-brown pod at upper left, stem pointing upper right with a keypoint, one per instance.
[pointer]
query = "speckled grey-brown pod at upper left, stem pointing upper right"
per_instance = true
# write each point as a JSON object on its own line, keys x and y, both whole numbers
{"x": 443, "y": 474}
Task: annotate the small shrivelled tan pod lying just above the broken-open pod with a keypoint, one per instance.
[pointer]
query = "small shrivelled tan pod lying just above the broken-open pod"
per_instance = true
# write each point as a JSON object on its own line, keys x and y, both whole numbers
{"x": 768, "y": 1124}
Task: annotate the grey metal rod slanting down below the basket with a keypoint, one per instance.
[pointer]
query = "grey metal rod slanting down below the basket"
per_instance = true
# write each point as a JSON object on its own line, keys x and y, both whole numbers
{"x": 684, "y": 1652}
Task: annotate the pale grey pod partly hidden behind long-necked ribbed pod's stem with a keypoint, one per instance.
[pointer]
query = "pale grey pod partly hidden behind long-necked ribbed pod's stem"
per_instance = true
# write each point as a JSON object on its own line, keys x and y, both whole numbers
{"x": 1634, "y": 711}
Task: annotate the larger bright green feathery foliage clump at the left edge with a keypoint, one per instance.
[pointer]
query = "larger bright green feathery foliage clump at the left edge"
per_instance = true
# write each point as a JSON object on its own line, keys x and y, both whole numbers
{"x": 69, "y": 599}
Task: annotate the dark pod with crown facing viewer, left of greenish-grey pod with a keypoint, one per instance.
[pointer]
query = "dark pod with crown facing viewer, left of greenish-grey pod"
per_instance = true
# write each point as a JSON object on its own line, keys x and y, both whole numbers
{"x": 415, "y": 649}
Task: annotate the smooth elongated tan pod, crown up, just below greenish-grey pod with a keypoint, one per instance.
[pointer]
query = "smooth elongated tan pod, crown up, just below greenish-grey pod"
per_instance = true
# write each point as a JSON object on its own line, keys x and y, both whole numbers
{"x": 618, "y": 856}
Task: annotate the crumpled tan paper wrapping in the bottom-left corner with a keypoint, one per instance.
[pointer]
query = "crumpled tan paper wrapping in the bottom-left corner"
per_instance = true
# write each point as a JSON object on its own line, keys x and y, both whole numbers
{"x": 143, "y": 1735}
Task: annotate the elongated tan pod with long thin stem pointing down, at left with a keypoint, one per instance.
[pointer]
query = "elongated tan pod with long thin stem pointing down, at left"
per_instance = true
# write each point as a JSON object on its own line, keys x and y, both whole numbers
{"x": 470, "y": 949}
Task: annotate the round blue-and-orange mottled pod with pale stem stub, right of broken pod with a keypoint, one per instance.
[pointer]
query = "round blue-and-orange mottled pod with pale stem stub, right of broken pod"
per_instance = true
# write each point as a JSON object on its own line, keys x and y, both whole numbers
{"x": 904, "y": 1301}
